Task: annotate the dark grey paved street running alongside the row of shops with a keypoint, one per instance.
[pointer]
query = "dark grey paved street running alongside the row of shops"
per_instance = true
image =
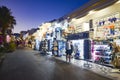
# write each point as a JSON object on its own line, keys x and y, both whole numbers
{"x": 26, "y": 64}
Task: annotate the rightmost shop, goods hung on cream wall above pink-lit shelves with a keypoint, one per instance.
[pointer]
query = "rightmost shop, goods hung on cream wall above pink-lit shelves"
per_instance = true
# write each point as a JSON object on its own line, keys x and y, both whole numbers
{"x": 106, "y": 31}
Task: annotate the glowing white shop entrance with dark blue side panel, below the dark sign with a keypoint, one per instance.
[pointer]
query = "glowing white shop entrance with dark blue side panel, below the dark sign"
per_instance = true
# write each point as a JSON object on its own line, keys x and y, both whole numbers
{"x": 81, "y": 49}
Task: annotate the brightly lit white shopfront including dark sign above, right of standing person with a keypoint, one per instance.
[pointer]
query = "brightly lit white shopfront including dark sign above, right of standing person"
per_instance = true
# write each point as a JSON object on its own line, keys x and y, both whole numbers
{"x": 81, "y": 45}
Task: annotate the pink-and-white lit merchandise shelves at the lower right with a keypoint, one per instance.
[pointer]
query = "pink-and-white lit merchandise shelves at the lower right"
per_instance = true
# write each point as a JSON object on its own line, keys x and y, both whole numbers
{"x": 101, "y": 52}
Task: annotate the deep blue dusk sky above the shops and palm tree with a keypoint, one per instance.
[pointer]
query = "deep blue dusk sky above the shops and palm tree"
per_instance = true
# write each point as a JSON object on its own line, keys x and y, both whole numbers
{"x": 31, "y": 13}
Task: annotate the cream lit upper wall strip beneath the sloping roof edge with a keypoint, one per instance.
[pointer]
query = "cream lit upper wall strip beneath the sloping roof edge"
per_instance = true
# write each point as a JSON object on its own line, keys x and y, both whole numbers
{"x": 108, "y": 11}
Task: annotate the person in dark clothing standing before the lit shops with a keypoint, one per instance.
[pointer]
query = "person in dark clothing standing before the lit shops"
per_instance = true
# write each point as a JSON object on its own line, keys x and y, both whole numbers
{"x": 69, "y": 50}
